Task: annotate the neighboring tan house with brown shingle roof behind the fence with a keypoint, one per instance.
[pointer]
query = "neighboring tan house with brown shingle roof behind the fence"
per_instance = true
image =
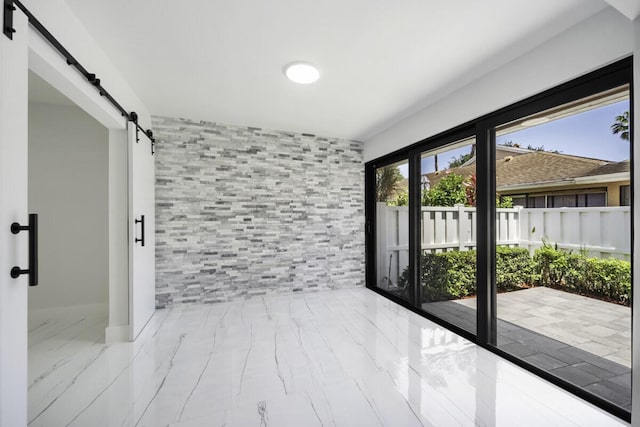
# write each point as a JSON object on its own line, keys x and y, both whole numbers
{"x": 540, "y": 179}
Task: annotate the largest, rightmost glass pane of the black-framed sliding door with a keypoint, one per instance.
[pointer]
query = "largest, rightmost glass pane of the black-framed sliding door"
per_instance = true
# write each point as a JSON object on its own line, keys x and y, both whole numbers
{"x": 563, "y": 242}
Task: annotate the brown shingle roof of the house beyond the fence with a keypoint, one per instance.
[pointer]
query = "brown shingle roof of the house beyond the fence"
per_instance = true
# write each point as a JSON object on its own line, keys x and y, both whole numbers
{"x": 540, "y": 167}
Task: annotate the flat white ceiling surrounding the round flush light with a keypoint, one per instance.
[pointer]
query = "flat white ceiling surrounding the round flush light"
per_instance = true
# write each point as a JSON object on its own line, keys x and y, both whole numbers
{"x": 379, "y": 60}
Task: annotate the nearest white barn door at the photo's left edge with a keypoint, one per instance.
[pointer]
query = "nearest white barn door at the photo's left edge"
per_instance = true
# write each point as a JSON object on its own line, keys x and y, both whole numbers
{"x": 13, "y": 208}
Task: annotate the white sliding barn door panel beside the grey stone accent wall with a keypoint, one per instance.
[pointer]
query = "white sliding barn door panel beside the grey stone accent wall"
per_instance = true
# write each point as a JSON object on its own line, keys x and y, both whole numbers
{"x": 142, "y": 243}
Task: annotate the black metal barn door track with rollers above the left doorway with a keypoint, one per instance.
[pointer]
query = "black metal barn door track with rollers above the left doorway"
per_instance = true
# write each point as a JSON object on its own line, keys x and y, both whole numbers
{"x": 11, "y": 5}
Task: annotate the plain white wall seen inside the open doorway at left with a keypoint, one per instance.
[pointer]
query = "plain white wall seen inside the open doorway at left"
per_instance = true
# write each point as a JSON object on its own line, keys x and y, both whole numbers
{"x": 68, "y": 188}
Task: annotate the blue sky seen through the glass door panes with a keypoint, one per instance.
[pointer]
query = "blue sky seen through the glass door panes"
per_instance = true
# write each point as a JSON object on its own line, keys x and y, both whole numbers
{"x": 586, "y": 134}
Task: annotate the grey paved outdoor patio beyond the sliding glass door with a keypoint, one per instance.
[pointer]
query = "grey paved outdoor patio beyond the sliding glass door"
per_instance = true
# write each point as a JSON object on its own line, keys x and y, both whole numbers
{"x": 583, "y": 340}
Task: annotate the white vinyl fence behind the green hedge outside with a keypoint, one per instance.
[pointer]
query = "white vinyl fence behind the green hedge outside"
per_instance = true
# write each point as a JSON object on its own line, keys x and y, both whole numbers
{"x": 602, "y": 232}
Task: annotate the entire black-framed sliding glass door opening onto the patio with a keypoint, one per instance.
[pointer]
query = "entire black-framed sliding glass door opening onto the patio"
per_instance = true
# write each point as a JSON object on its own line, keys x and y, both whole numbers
{"x": 515, "y": 231}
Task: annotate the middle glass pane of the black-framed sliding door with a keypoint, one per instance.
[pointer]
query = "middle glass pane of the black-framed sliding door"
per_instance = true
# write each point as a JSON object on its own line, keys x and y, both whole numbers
{"x": 447, "y": 268}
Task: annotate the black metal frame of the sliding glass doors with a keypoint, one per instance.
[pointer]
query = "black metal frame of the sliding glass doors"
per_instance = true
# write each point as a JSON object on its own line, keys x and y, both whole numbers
{"x": 608, "y": 77}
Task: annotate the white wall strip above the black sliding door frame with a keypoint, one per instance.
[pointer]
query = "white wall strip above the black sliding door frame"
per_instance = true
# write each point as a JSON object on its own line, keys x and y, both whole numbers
{"x": 597, "y": 41}
